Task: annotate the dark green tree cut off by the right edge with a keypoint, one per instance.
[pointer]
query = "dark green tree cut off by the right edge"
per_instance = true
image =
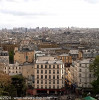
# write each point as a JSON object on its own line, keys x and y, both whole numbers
{"x": 95, "y": 68}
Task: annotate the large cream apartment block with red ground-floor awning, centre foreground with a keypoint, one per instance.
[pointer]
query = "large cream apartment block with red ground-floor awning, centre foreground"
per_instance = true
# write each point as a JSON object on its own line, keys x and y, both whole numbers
{"x": 49, "y": 75}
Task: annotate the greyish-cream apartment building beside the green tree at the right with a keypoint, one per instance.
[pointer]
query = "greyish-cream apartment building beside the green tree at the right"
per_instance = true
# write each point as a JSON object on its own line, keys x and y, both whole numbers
{"x": 81, "y": 74}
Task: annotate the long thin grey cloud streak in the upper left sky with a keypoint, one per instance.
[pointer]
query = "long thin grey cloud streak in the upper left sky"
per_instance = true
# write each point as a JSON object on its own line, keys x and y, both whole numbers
{"x": 19, "y": 13}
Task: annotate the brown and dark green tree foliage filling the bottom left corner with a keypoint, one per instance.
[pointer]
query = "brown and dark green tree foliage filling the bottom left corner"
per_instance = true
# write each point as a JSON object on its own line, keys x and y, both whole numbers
{"x": 12, "y": 86}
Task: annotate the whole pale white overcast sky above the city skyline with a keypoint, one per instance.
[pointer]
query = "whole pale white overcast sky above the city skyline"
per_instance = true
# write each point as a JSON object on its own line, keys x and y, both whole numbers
{"x": 49, "y": 13}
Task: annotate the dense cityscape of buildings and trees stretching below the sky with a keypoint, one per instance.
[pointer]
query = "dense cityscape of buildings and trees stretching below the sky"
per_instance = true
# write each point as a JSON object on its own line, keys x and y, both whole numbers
{"x": 49, "y": 63}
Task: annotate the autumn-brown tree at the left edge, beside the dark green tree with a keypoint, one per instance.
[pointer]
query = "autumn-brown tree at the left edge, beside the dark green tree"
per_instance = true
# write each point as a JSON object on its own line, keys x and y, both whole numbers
{"x": 6, "y": 88}
